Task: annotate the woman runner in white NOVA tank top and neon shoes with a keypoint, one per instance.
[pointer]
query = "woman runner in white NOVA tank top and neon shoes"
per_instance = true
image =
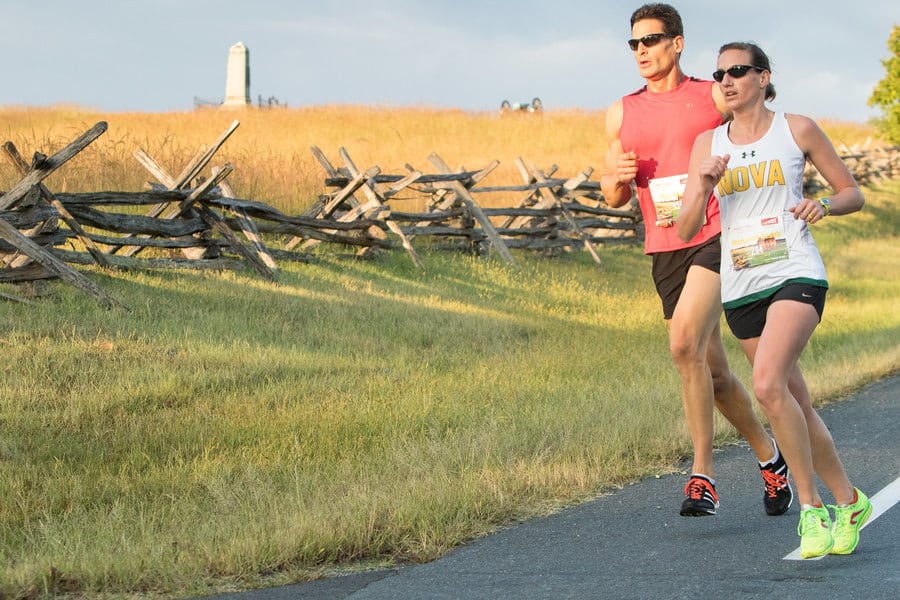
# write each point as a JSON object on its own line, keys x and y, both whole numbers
{"x": 773, "y": 278}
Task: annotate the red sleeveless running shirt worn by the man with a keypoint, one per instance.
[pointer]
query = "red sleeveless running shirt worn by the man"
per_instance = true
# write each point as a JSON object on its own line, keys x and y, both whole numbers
{"x": 661, "y": 128}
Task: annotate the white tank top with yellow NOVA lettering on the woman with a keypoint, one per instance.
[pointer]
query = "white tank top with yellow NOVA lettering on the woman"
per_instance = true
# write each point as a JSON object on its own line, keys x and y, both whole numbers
{"x": 763, "y": 246}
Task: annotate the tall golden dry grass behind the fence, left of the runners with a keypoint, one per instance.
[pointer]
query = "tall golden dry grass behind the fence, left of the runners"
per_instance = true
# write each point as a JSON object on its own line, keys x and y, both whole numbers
{"x": 271, "y": 148}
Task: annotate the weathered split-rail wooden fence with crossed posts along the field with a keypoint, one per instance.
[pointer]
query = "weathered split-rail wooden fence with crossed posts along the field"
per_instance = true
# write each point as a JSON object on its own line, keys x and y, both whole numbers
{"x": 195, "y": 221}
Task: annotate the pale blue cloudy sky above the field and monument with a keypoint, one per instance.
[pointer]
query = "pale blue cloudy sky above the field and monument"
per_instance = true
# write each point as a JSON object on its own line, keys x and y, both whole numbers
{"x": 158, "y": 55}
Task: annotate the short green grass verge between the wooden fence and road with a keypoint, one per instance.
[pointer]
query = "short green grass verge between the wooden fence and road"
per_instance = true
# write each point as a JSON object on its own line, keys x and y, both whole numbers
{"x": 231, "y": 432}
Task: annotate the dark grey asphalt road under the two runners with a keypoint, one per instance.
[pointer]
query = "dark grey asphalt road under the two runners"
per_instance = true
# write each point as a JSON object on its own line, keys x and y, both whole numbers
{"x": 632, "y": 544}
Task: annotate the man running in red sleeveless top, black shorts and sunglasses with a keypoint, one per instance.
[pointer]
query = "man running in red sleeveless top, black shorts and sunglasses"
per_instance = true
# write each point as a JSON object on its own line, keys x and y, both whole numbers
{"x": 649, "y": 135}
